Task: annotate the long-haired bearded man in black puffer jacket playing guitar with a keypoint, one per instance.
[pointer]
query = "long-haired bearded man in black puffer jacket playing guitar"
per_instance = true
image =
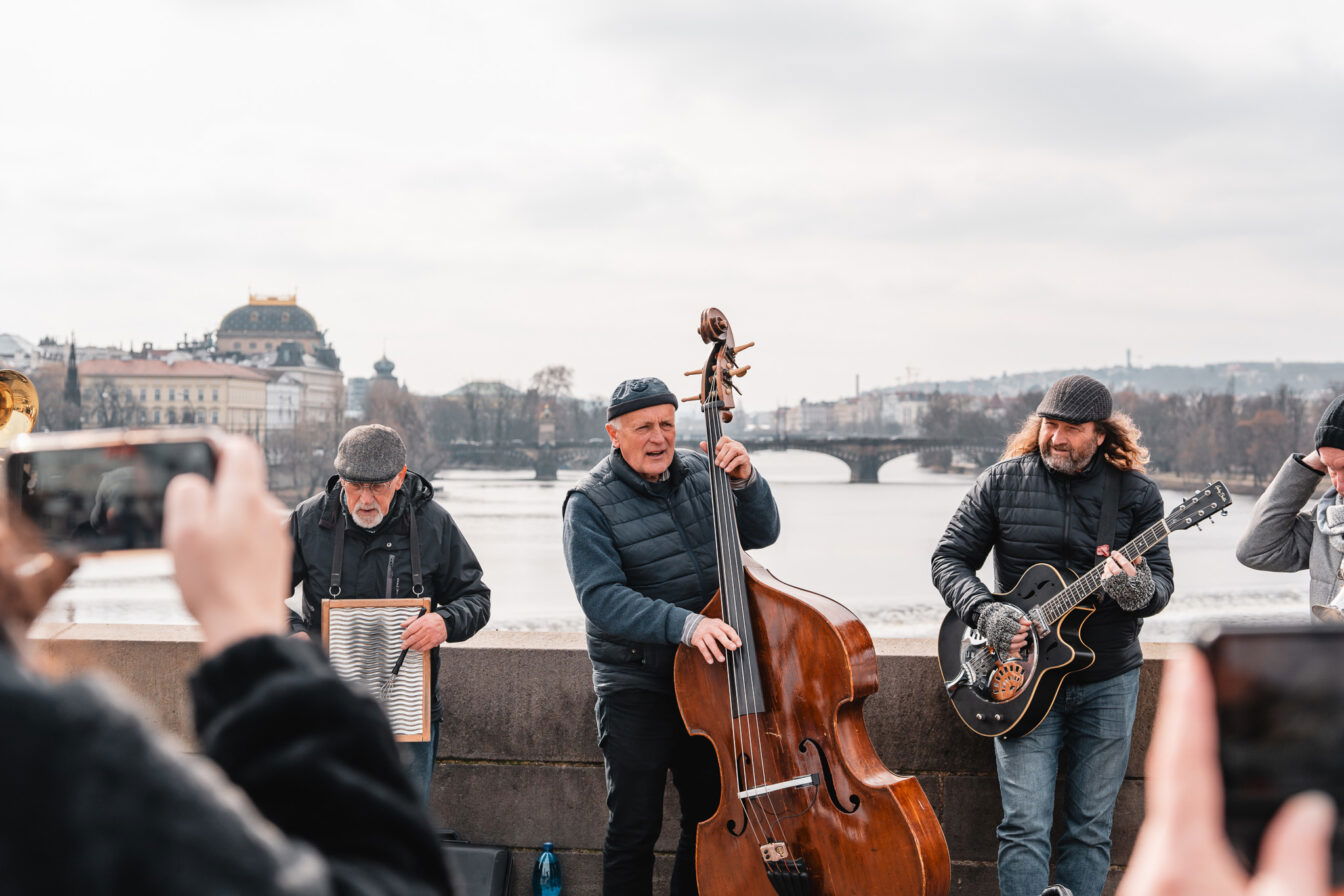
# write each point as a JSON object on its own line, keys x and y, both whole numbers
{"x": 1044, "y": 503}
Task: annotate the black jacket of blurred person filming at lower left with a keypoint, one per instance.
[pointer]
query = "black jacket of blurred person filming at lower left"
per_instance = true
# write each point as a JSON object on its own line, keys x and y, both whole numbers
{"x": 312, "y": 799}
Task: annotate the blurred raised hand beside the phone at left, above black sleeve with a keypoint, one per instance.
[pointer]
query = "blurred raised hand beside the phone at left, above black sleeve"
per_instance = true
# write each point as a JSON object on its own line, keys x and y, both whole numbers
{"x": 230, "y": 547}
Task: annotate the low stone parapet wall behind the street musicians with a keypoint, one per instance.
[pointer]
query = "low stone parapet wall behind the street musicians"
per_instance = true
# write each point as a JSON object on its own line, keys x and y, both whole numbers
{"x": 518, "y": 756}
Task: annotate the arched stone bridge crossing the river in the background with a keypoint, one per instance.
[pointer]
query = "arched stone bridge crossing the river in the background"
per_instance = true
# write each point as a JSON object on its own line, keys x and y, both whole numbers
{"x": 864, "y": 455}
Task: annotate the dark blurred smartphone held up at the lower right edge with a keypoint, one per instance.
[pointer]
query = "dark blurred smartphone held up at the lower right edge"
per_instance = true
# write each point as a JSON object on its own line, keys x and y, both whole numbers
{"x": 1280, "y": 702}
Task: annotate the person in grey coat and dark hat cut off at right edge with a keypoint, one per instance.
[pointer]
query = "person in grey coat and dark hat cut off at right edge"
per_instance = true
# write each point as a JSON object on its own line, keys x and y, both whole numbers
{"x": 1286, "y": 538}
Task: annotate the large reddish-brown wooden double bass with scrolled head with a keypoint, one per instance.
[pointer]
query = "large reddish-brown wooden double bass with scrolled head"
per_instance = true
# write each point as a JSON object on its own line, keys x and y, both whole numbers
{"x": 807, "y": 807}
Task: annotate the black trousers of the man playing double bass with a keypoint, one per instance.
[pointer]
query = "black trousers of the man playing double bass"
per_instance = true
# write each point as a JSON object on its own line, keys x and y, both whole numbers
{"x": 643, "y": 740}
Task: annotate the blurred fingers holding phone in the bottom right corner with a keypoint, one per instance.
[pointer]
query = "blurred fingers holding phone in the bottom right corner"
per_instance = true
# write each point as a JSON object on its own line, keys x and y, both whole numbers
{"x": 1182, "y": 848}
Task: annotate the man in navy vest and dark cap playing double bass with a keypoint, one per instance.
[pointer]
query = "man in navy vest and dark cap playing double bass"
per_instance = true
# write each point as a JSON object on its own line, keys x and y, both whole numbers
{"x": 639, "y": 542}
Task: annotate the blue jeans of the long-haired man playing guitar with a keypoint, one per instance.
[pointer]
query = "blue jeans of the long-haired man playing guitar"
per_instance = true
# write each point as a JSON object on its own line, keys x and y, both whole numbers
{"x": 1091, "y": 727}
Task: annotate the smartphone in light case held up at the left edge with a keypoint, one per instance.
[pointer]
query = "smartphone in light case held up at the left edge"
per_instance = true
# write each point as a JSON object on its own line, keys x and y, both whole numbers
{"x": 101, "y": 491}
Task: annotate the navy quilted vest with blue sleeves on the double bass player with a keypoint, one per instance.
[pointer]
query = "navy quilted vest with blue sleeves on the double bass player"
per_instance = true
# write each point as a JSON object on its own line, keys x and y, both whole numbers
{"x": 643, "y": 561}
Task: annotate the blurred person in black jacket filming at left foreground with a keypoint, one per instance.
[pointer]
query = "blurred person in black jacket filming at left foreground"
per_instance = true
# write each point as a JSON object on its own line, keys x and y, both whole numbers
{"x": 300, "y": 789}
